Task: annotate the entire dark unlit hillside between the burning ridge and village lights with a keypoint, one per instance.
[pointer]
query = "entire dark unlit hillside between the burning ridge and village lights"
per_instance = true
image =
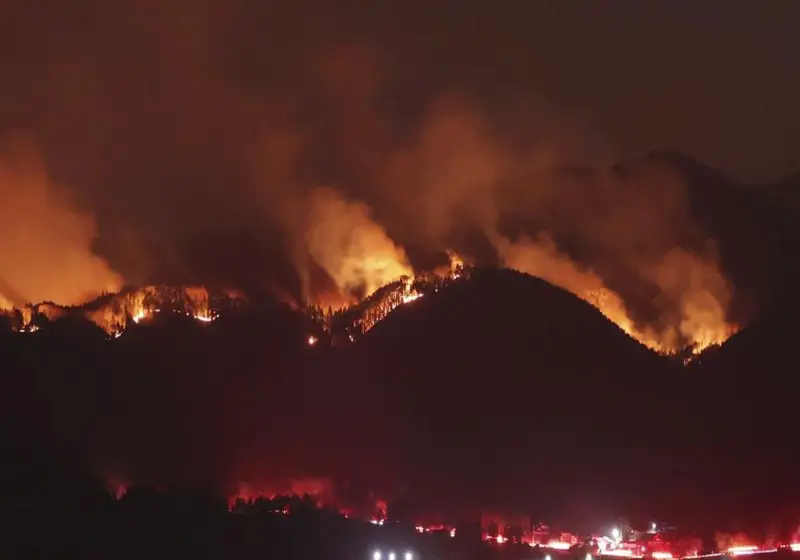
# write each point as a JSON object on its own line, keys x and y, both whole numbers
{"x": 497, "y": 391}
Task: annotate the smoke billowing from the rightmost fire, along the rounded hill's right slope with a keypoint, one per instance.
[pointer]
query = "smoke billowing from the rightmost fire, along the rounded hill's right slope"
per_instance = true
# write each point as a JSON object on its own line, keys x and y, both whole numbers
{"x": 633, "y": 229}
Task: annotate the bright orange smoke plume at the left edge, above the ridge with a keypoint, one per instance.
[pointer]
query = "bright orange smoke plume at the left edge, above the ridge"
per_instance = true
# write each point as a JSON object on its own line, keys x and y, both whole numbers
{"x": 46, "y": 253}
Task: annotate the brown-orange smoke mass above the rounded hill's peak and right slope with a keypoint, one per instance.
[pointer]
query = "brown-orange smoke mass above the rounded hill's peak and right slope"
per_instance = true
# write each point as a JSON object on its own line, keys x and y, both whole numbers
{"x": 634, "y": 250}
